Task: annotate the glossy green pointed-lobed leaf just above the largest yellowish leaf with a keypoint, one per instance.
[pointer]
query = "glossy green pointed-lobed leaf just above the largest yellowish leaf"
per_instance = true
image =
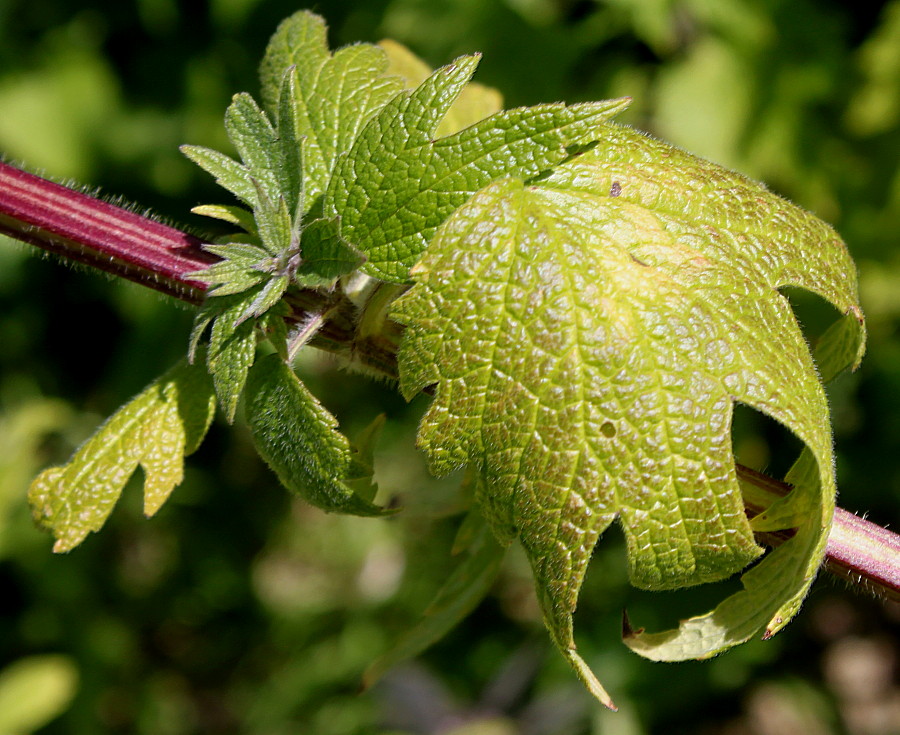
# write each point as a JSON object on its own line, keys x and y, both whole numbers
{"x": 397, "y": 183}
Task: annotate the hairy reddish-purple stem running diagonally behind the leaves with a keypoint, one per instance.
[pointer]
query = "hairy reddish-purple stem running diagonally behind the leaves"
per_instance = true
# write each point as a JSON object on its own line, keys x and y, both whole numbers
{"x": 97, "y": 233}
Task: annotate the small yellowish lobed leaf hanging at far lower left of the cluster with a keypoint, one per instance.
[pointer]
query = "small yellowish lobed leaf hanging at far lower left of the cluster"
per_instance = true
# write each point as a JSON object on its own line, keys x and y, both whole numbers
{"x": 155, "y": 430}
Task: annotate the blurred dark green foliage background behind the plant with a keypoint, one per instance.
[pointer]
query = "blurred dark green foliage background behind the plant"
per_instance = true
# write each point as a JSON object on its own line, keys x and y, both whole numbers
{"x": 237, "y": 610}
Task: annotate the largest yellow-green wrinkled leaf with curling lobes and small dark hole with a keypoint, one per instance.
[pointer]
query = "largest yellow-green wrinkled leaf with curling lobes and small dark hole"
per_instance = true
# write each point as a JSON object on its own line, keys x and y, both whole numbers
{"x": 588, "y": 339}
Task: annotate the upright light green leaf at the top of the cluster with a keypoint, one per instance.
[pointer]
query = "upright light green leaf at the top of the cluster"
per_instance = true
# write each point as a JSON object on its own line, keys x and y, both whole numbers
{"x": 333, "y": 95}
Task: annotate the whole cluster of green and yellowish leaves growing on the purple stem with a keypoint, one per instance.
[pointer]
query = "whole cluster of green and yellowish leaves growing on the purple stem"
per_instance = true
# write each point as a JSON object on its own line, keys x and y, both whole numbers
{"x": 586, "y": 304}
